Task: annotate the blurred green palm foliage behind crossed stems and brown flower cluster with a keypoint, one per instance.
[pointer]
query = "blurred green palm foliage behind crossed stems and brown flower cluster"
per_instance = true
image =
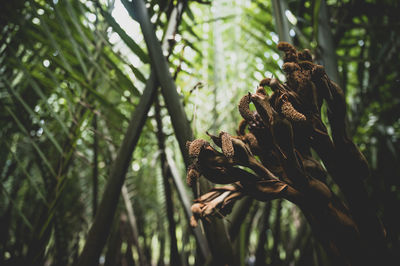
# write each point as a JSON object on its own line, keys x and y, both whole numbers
{"x": 72, "y": 72}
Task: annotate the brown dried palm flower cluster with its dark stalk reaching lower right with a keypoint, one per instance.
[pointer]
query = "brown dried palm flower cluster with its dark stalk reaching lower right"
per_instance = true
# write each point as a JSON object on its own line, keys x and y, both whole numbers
{"x": 270, "y": 157}
